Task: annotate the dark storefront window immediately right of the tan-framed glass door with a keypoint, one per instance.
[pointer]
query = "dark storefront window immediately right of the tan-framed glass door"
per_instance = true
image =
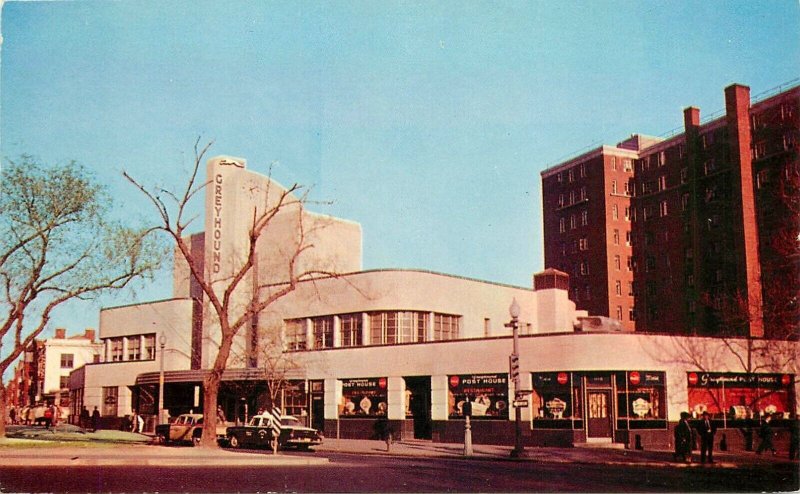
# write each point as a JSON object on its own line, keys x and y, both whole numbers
{"x": 641, "y": 400}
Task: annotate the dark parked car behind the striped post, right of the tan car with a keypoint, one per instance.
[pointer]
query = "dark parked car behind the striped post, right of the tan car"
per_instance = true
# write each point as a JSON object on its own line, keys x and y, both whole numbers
{"x": 259, "y": 433}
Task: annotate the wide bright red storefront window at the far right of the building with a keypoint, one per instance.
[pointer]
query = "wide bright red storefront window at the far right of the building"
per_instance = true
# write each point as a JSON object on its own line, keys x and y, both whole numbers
{"x": 740, "y": 395}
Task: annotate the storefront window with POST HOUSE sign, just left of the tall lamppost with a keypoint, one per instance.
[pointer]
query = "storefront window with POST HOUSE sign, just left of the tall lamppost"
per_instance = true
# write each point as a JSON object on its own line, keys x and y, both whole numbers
{"x": 487, "y": 394}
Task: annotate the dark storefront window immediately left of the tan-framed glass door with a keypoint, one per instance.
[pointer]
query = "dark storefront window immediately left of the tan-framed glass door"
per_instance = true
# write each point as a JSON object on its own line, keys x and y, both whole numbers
{"x": 556, "y": 400}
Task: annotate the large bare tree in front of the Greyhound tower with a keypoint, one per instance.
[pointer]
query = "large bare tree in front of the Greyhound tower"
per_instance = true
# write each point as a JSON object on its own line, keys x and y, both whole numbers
{"x": 224, "y": 296}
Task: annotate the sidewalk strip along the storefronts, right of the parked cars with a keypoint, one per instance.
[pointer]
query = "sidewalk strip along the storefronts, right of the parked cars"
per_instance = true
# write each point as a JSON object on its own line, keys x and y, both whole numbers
{"x": 577, "y": 455}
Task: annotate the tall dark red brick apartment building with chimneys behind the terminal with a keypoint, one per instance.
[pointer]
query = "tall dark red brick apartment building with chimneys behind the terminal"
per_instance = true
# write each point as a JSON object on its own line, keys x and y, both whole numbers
{"x": 676, "y": 235}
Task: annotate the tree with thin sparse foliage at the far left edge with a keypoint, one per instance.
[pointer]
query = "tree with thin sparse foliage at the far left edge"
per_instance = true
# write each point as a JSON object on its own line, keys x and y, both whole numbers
{"x": 57, "y": 244}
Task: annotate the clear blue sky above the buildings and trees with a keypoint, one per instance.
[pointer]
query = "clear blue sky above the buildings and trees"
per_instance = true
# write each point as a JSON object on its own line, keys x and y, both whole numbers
{"x": 426, "y": 122}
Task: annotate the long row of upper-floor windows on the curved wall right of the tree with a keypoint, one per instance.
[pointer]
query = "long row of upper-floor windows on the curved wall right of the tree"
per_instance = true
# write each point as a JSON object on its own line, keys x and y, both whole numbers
{"x": 383, "y": 328}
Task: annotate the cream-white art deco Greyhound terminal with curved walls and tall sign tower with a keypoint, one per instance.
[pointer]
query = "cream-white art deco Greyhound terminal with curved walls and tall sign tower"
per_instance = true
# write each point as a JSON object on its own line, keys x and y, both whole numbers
{"x": 411, "y": 346}
